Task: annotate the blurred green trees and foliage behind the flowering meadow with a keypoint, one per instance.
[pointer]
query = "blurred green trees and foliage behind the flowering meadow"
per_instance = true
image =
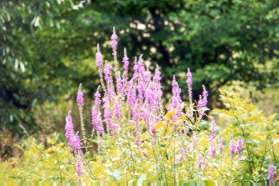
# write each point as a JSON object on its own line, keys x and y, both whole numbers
{"x": 48, "y": 47}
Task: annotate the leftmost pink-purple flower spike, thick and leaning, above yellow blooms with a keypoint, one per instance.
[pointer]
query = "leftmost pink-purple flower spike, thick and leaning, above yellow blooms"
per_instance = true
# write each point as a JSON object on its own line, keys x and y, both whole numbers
{"x": 72, "y": 138}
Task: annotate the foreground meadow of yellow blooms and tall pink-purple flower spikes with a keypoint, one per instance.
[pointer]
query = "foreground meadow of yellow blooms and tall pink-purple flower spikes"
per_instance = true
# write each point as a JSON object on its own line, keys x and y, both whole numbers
{"x": 137, "y": 135}
